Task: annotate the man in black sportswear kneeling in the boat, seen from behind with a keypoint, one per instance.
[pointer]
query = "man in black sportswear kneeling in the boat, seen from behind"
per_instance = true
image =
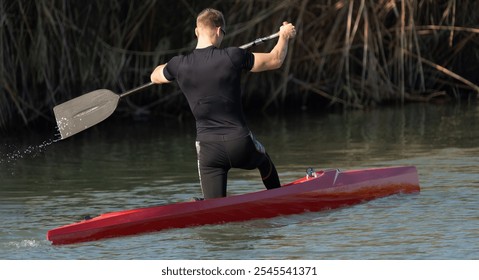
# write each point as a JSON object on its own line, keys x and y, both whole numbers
{"x": 210, "y": 78}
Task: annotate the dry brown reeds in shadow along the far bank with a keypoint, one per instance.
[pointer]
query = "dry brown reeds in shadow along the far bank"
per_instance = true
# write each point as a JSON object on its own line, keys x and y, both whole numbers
{"x": 353, "y": 54}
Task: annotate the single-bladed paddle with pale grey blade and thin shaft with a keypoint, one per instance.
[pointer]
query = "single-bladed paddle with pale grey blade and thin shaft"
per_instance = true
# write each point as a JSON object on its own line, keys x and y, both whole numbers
{"x": 91, "y": 108}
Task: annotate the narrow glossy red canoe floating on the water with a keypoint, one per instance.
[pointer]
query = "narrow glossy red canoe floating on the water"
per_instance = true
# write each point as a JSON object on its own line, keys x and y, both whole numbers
{"x": 324, "y": 190}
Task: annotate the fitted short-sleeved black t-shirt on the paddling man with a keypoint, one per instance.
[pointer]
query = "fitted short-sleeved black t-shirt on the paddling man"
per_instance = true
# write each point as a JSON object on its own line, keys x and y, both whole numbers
{"x": 210, "y": 78}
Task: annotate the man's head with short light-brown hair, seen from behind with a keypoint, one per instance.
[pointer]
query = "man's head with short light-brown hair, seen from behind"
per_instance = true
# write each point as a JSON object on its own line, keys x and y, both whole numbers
{"x": 210, "y": 23}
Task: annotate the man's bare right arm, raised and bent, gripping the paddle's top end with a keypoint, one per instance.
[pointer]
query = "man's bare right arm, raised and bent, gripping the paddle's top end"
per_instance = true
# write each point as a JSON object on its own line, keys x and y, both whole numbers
{"x": 275, "y": 58}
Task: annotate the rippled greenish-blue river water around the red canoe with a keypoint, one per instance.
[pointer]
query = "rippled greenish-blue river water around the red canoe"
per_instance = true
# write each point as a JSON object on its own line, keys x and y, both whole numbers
{"x": 46, "y": 183}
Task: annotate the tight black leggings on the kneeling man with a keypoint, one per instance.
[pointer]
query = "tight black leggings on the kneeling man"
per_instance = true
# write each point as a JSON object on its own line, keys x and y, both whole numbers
{"x": 216, "y": 158}
